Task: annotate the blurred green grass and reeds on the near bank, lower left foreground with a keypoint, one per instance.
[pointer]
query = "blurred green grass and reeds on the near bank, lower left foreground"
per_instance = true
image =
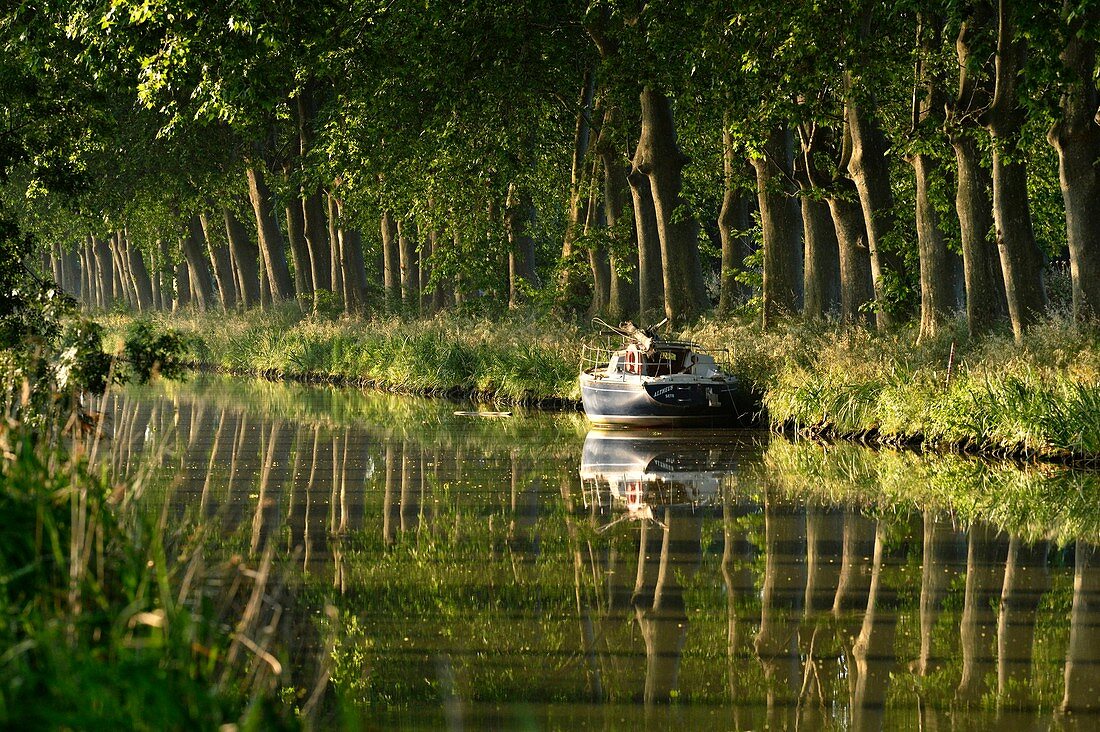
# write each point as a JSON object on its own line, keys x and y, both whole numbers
{"x": 108, "y": 609}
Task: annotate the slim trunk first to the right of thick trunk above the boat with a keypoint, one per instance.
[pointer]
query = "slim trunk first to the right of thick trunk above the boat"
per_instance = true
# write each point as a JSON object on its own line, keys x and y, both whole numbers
{"x": 735, "y": 220}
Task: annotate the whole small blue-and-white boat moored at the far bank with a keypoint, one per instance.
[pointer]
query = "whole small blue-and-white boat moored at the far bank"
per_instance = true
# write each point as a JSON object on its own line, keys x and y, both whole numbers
{"x": 654, "y": 383}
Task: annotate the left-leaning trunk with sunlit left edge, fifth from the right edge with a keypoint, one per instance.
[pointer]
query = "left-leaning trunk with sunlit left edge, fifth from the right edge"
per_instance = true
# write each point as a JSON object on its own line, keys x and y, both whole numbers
{"x": 871, "y": 172}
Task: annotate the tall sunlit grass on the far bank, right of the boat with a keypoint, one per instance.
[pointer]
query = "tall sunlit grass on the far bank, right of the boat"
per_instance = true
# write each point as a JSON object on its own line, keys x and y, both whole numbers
{"x": 1041, "y": 398}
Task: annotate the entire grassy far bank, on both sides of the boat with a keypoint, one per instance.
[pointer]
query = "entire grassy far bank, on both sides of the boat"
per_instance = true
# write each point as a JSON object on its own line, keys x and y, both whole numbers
{"x": 1039, "y": 399}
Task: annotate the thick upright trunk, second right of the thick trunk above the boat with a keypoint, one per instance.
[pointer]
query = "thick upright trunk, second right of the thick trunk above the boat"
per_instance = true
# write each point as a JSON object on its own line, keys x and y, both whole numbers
{"x": 783, "y": 247}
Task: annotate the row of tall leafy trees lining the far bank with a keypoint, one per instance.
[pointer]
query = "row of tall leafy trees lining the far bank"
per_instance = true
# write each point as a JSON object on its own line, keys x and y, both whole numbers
{"x": 871, "y": 160}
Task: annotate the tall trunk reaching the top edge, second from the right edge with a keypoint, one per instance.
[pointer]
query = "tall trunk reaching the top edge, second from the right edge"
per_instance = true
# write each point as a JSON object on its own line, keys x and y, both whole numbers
{"x": 1021, "y": 260}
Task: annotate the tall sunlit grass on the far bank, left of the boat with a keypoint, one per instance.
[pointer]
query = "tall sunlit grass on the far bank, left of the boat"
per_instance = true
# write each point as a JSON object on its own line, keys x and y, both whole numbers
{"x": 516, "y": 363}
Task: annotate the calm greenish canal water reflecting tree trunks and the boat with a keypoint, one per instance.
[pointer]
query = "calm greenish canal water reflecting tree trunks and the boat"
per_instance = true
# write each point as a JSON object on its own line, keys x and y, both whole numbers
{"x": 398, "y": 562}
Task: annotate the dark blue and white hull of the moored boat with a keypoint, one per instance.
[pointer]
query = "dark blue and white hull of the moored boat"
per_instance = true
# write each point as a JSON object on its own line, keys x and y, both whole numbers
{"x": 663, "y": 403}
